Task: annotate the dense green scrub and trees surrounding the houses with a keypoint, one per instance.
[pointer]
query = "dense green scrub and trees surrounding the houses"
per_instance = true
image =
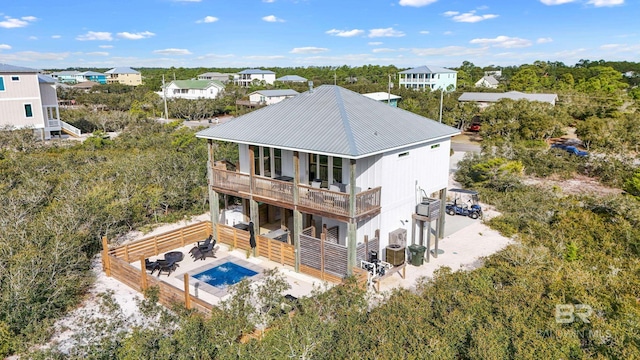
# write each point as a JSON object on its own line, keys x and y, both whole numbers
{"x": 58, "y": 200}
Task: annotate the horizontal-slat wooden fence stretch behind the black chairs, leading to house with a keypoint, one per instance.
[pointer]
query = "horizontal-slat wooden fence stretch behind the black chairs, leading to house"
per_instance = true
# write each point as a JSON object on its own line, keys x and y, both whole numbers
{"x": 158, "y": 244}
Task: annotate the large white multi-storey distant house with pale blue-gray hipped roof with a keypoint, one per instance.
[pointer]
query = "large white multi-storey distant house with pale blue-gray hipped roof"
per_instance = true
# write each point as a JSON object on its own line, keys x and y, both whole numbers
{"x": 428, "y": 77}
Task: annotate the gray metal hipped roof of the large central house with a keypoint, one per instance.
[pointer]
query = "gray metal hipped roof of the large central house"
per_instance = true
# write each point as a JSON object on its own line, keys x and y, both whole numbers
{"x": 331, "y": 120}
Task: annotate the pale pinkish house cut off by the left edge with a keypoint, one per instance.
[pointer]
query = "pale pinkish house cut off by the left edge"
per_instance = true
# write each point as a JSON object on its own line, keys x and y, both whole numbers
{"x": 28, "y": 100}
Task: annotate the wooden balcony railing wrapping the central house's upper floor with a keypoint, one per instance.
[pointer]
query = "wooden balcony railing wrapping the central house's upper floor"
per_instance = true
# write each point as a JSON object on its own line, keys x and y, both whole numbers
{"x": 310, "y": 199}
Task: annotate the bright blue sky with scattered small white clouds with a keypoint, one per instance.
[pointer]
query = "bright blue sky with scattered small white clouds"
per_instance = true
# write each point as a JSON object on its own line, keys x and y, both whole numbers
{"x": 255, "y": 33}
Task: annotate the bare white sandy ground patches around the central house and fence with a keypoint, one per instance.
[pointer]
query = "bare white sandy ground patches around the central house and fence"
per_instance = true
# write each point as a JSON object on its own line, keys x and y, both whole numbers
{"x": 464, "y": 249}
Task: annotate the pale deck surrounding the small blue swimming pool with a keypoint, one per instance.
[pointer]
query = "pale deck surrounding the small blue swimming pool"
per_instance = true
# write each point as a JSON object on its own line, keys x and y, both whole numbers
{"x": 301, "y": 284}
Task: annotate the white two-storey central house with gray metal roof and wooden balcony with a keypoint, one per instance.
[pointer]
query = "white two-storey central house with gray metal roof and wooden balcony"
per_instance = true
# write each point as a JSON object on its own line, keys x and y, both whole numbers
{"x": 331, "y": 167}
